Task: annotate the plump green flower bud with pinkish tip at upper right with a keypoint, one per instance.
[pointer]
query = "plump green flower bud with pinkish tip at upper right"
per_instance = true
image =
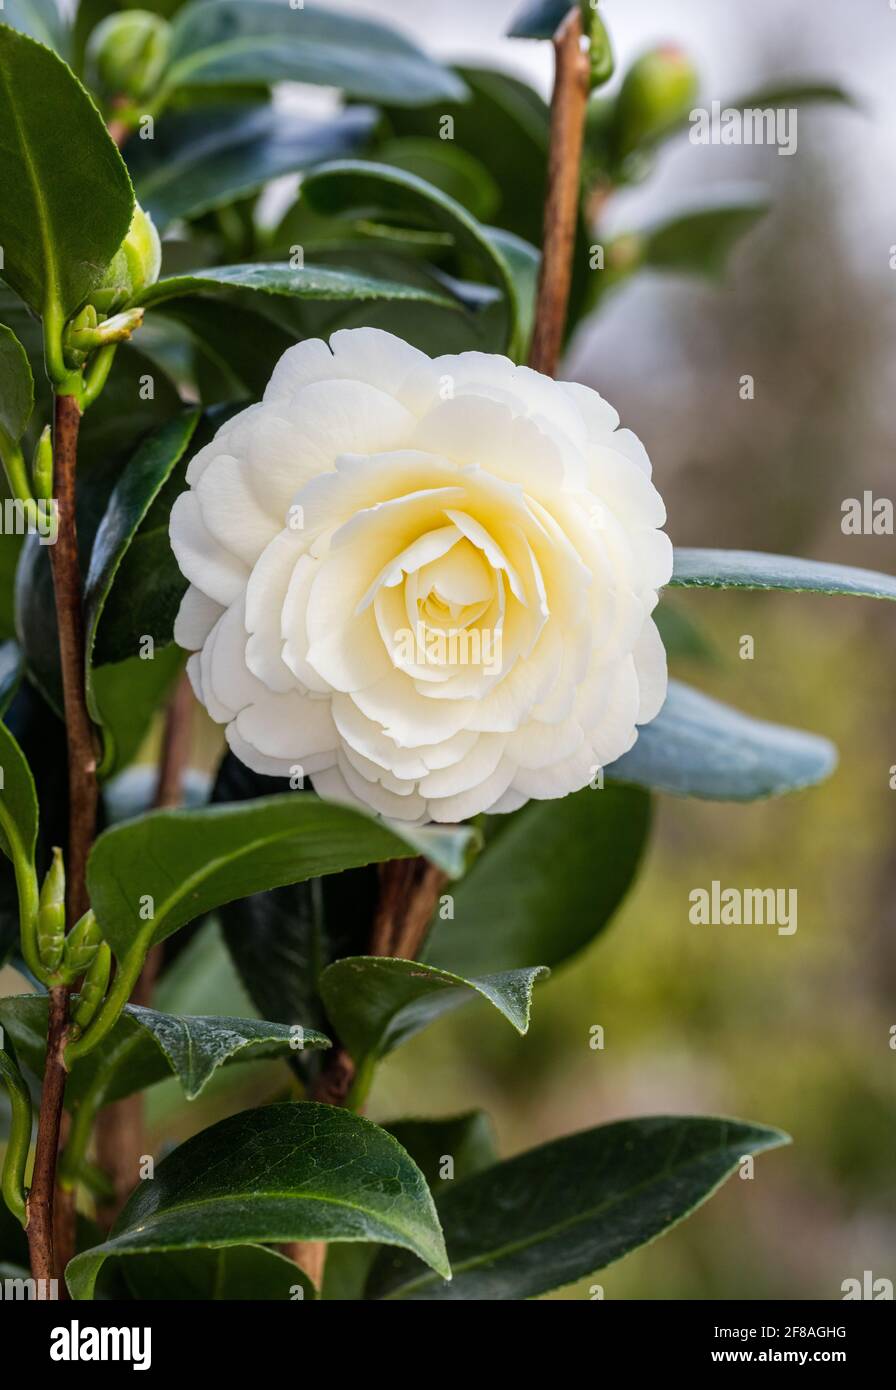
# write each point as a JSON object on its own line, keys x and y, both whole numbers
{"x": 659, "y": 92}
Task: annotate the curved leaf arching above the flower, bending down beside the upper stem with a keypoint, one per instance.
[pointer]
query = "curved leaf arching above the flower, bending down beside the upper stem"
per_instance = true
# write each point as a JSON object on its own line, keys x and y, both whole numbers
{"x": 370, "y": 191}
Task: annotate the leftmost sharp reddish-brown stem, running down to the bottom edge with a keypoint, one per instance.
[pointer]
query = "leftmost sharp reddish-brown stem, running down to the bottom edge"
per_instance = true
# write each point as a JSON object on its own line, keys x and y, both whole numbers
{"x": 51, "y": 1241}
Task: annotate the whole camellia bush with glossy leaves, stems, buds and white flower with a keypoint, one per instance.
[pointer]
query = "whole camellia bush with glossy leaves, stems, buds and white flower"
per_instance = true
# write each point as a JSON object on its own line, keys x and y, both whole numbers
{"x": 312, "y": 469}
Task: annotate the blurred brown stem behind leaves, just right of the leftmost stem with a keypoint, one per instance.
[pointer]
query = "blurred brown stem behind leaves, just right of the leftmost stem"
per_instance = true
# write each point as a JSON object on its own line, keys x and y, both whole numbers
{"x": 120, "y": 1129}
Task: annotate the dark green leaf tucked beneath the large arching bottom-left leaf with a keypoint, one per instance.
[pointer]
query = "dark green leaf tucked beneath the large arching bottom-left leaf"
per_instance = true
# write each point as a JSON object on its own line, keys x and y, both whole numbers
{"x": 240, "y": 1274}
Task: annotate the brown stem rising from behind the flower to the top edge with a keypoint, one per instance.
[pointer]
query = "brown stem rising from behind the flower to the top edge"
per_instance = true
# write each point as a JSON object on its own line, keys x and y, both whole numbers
{"x": 565, "y": 161}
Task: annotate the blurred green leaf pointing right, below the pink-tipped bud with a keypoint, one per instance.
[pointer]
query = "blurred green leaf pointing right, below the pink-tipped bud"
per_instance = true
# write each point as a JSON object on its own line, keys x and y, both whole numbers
{"x": 699, "y": 243}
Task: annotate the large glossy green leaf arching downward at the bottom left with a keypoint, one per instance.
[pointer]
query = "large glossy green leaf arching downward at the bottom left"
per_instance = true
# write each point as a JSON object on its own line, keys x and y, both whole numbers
{"x": 281, "y": 1174}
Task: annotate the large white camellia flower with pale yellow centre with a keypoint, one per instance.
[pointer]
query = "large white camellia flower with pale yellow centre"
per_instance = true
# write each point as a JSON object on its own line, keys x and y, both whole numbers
{"x": 424, "y": 583}
